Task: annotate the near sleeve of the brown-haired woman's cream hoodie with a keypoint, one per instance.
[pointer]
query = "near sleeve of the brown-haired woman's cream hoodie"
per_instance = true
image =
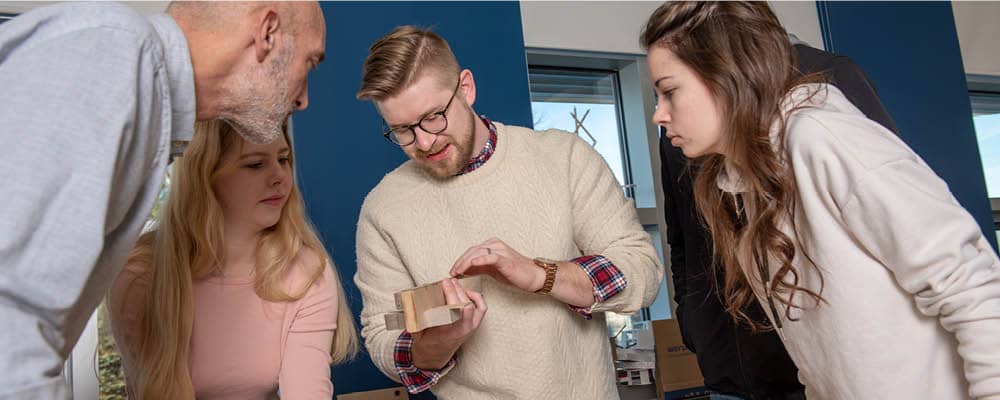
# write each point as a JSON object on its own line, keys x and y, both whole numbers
{"x": 907, "y": 218}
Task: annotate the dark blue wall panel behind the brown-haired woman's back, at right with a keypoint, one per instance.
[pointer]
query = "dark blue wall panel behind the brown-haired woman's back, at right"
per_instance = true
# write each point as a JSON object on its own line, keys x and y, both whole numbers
{"x": 910, "y": 50}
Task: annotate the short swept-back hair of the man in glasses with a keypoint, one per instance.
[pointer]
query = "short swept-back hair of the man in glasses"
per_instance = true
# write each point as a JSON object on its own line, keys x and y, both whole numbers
{"x": 402, "y": 56}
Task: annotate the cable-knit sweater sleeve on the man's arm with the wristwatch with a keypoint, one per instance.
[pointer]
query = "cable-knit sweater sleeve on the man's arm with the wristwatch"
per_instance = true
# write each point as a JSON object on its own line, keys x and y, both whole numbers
{"x": 605, "y": 223}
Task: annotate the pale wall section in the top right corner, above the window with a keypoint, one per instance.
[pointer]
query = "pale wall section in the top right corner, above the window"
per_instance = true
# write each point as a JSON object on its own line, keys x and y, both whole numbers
{"x": 978, "y": 30}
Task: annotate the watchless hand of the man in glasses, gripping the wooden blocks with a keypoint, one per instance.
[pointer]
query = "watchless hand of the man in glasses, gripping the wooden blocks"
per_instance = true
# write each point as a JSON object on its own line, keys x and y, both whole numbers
{"x": 434, "y": 347}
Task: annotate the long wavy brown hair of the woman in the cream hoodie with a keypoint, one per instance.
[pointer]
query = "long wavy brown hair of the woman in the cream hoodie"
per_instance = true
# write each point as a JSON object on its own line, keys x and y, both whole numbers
{"x": 743, "y": 55}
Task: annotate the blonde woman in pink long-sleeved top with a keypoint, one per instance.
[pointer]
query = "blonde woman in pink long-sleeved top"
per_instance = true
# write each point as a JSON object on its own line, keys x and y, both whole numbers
{"x": 232, "y": 295}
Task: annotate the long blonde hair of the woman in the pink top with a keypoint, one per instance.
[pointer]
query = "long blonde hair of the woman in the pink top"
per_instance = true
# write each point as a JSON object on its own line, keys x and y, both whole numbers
{"x": 187, "y": 245}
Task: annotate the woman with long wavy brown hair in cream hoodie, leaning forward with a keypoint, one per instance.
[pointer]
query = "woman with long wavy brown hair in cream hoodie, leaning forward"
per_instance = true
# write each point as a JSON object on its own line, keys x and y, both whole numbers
{"x": 879, "y": 283}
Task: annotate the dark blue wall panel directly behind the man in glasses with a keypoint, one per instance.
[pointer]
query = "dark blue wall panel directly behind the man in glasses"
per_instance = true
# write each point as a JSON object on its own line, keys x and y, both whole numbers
{"x": 340, "y": 152}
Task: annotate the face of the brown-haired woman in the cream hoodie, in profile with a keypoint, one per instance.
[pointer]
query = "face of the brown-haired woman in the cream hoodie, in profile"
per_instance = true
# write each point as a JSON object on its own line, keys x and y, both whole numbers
{"x": 685, "y": 107}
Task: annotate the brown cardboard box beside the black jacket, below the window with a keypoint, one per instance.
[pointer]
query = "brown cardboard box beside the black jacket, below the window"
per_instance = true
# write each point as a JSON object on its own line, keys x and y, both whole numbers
{"x": 676, "y": 366}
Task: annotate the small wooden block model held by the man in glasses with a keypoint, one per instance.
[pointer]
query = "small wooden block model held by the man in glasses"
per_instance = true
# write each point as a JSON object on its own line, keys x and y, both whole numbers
{"x": 423, "y": 307}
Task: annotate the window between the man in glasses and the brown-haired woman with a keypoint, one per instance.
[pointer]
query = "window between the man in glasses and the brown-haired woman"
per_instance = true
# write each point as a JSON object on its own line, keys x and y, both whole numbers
{"x": 607, "y": 100}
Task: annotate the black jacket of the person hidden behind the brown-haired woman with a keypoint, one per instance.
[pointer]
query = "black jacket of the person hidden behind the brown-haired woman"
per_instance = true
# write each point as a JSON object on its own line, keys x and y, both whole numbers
{"x": 732, "y": 359}
